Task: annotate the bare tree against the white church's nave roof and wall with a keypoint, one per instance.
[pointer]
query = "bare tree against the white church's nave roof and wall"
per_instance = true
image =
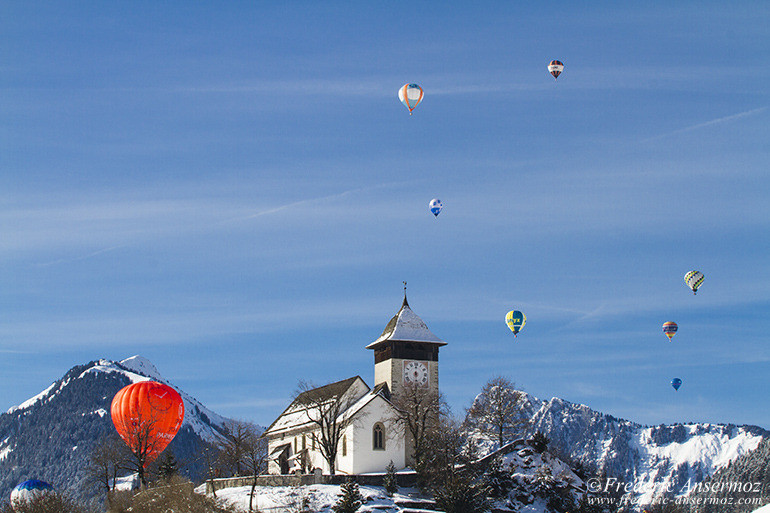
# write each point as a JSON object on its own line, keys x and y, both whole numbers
{"x": 325, "y": 408}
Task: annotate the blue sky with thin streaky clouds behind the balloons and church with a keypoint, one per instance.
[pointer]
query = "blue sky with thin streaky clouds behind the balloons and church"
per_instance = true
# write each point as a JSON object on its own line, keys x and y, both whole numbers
{"x": 234, "y": 192}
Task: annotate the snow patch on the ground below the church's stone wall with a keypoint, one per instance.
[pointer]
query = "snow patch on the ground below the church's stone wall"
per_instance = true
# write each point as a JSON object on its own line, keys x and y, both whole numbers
{"x": 320, "y": 498}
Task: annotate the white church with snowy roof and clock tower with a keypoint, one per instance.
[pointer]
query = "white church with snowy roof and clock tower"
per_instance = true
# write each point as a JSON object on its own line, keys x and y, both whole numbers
{"x": 406, "y": 351}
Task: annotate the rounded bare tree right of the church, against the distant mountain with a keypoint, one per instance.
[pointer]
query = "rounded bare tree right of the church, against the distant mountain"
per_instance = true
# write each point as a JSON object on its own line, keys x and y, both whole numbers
{"x": 497, "y": 410}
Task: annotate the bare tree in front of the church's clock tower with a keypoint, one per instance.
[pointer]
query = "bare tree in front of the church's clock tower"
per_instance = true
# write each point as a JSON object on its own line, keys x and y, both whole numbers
{"x": 418, "y": 410}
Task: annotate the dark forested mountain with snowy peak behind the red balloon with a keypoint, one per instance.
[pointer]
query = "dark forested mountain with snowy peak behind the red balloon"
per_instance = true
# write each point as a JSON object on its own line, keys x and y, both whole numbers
{"x": 52, "y": 435}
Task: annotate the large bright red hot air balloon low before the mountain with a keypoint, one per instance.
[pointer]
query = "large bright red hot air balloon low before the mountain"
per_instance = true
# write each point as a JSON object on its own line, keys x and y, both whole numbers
{"x": 147, "y": 416}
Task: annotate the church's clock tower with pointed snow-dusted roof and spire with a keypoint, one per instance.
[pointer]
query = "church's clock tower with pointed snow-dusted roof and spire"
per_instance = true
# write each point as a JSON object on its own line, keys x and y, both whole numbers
{"x": 406, "y": 352}
